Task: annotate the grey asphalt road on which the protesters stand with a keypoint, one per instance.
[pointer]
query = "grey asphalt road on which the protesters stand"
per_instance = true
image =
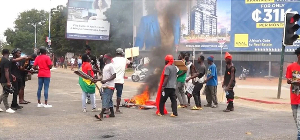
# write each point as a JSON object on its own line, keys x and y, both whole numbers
{"x": 66, "y": 120}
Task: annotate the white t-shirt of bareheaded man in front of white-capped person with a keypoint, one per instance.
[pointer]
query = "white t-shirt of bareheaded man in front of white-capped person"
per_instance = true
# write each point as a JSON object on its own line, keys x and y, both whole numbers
{"x": 108, "y": 71}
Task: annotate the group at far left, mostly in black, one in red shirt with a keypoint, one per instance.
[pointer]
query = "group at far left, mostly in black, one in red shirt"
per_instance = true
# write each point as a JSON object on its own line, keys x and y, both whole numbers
{"x": 13, "y": 77}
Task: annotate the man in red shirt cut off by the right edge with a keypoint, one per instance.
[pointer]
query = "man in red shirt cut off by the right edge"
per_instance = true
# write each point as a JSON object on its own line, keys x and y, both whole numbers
{"x": 293, "y": 78}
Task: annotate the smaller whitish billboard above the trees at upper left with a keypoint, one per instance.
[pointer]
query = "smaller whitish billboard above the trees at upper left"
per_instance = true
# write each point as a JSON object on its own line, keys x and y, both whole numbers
{"x": 87, "y": 21}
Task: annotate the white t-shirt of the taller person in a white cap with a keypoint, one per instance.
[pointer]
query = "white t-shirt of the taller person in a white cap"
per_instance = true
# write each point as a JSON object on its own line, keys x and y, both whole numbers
{"x": 119, "y": 65}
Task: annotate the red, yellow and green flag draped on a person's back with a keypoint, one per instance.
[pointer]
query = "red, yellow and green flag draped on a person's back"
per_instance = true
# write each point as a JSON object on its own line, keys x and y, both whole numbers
{"x": 86, "y": 85}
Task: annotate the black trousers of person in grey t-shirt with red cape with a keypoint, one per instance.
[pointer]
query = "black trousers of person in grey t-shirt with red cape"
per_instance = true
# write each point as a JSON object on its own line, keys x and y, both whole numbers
{"x": 169, "y": 92}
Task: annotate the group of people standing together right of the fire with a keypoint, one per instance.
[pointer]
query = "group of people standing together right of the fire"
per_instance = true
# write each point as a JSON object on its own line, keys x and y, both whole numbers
{"x": 184, "y": 84}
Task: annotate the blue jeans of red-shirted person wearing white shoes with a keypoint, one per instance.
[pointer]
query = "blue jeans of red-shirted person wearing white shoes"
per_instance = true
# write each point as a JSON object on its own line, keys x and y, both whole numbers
{"x": 43, "y": 81}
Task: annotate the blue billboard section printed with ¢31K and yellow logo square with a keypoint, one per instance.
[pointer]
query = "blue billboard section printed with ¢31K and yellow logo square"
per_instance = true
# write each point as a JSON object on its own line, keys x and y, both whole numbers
{"x": 257, "y": 25}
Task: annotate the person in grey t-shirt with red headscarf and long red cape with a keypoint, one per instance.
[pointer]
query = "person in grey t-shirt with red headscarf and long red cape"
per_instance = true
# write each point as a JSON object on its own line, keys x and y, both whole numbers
{"x": 167, "y": 88}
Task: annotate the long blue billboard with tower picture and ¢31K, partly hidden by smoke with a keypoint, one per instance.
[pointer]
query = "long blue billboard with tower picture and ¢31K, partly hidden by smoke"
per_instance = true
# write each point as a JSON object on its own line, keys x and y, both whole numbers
{"x": 209, "y": 25}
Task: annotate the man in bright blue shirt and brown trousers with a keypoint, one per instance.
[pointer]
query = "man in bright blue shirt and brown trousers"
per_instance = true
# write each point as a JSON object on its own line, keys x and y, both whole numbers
{"x": 211, "y": 84}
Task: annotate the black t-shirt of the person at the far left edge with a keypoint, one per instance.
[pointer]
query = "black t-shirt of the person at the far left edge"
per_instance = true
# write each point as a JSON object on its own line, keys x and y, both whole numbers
{"x": 5, "y": 63}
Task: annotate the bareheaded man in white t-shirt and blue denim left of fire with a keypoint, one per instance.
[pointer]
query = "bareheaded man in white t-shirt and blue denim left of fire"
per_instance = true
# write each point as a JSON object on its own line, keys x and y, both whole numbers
{"x": 108, "y": 85}
